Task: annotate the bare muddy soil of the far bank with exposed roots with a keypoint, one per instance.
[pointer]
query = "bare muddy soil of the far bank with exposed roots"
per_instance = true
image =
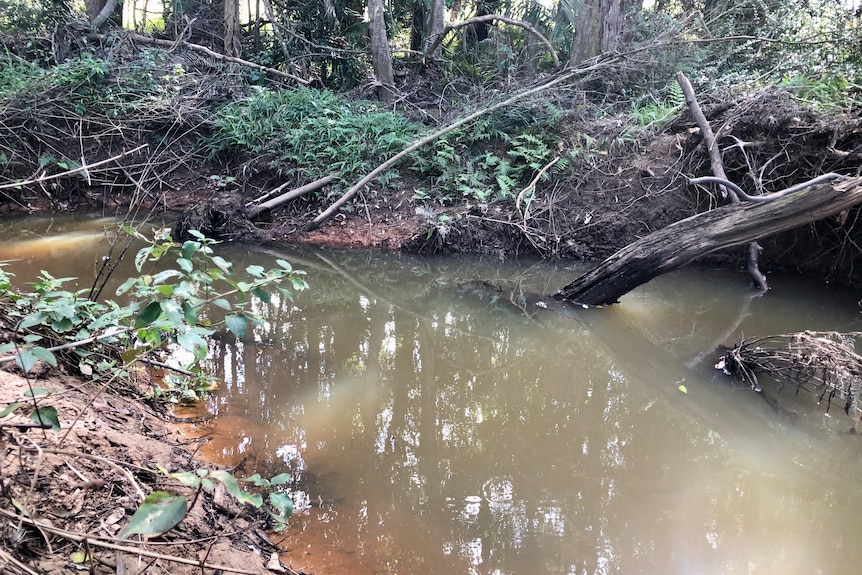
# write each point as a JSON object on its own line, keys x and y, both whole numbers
{"x": 624, "y": 190}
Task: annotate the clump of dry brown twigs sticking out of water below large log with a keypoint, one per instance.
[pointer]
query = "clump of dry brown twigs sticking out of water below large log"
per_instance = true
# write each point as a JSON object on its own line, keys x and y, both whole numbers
{"x": 824, "y": 364}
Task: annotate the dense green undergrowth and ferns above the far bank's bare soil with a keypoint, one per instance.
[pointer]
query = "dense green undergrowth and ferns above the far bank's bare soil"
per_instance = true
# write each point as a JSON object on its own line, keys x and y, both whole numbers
{"x": 73, "y": 95}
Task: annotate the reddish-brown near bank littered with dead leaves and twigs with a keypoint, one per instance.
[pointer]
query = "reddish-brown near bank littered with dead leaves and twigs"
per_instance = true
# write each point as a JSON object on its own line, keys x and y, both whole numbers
{"x": 68, "y": 494}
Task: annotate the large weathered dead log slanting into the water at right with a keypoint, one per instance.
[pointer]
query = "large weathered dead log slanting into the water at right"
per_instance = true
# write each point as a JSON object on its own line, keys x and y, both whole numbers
{"x": 732, "y": 225}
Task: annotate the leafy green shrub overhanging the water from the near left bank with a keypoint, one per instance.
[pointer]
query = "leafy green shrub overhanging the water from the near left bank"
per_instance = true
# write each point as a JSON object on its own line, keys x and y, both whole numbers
{"x": 169, "y": 309}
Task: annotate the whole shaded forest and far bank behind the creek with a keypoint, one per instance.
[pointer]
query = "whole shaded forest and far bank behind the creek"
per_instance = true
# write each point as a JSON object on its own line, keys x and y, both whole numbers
{"x": 237, "y": 101}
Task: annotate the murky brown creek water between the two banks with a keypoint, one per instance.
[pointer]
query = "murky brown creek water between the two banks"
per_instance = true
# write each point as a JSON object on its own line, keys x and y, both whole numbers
{"x": 433, "y": 426}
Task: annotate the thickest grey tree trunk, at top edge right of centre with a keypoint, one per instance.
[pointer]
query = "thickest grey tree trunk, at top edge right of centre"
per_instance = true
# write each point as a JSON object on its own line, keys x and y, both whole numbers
{"x": 597, "y": 30}
